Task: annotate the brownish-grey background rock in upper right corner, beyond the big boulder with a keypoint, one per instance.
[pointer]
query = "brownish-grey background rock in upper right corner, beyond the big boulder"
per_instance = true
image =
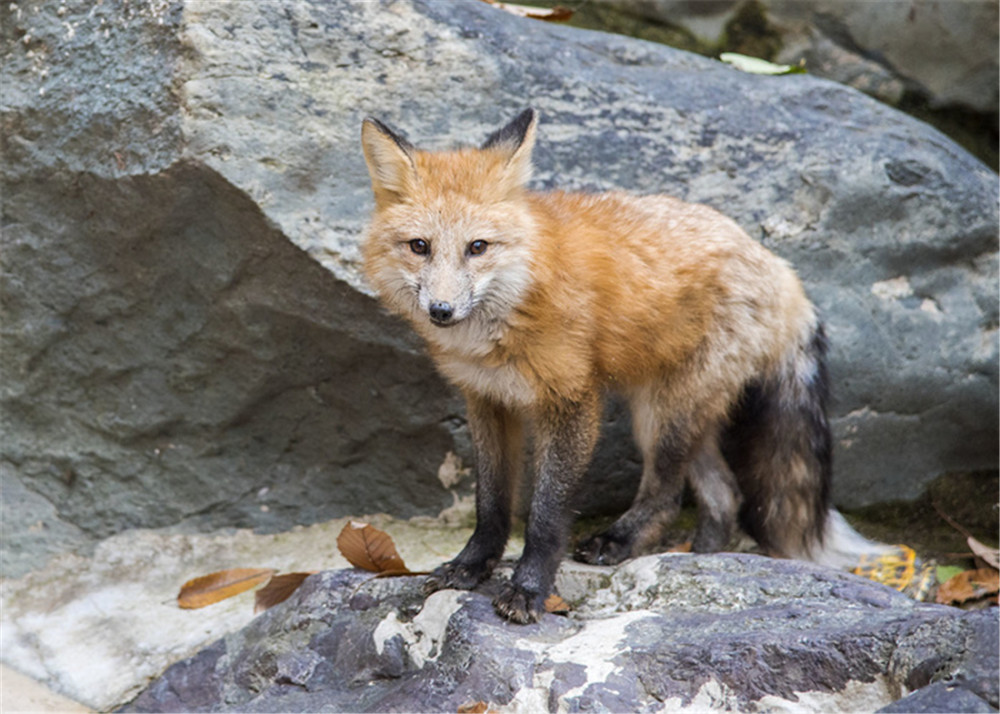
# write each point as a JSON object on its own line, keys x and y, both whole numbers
{"x": 946, "y": 52}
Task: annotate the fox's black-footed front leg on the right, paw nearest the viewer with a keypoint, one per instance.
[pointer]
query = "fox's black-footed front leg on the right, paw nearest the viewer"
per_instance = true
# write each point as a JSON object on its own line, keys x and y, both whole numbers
{"x": 565, "y": 441}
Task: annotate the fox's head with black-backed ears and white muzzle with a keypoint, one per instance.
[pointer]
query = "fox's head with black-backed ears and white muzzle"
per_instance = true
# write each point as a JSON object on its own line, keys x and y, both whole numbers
{"x": 449, "y": 241}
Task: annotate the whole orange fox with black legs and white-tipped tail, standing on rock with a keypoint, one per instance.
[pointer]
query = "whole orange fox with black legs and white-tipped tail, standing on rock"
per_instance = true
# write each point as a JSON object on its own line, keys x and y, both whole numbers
{"x": 536, "y": 304}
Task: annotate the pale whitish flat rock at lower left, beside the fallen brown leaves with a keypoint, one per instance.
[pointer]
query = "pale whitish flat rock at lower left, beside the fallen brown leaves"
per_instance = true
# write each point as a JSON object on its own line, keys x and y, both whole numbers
{"x": 100, "y": 628}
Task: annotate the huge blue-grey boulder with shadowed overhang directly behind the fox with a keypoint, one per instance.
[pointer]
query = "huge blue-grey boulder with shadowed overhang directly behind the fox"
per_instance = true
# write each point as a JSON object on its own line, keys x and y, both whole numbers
{"x": 186, "y": 336}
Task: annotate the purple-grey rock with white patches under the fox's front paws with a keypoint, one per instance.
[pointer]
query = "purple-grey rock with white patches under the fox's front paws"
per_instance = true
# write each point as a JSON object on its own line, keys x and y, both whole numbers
{"x": 658, "y": 633}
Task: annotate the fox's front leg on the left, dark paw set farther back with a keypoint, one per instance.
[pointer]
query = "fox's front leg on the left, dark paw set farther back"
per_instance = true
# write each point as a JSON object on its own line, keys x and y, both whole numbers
{"x": 497, "y": 438}
